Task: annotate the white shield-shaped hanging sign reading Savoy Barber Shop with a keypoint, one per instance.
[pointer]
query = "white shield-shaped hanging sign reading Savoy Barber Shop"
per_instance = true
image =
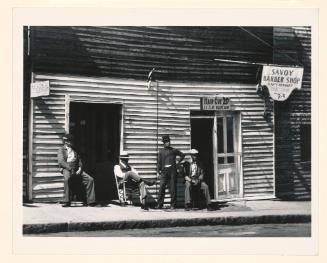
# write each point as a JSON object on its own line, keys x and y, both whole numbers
{"x": 281, "y": 81}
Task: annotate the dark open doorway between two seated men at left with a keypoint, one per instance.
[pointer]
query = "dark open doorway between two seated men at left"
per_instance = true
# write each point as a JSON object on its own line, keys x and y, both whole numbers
{"x": 96, "y": 128}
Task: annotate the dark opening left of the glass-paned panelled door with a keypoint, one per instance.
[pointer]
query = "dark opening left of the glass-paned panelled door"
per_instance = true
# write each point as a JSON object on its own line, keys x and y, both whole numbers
{"x": 201, "y": 139}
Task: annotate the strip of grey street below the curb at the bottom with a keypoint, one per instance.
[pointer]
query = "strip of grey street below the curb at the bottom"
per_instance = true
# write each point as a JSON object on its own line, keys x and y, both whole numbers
{"x": 257, "y": 230}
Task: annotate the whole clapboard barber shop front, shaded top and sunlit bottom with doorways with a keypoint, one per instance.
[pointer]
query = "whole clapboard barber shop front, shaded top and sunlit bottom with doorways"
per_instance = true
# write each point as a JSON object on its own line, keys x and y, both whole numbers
{"x": 99, "y": 91}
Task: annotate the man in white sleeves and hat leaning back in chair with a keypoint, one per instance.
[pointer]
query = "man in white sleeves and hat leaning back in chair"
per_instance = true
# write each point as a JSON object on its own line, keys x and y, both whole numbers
{"x": 127, "y": 173}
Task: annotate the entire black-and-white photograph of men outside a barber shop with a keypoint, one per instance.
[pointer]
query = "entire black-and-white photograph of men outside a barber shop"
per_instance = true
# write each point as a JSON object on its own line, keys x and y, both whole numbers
{"x": 160, "y": 130}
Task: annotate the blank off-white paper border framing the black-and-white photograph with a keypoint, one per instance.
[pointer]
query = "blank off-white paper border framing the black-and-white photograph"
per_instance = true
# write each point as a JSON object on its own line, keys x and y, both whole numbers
{"x": 143, "y": 17}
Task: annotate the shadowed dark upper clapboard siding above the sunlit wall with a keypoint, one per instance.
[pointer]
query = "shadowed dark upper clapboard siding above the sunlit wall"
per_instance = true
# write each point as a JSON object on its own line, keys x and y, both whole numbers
{"x": 181, "y": 53}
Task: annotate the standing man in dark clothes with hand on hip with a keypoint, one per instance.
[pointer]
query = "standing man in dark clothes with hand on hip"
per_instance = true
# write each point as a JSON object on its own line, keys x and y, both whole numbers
{"x": 167, "y": 170}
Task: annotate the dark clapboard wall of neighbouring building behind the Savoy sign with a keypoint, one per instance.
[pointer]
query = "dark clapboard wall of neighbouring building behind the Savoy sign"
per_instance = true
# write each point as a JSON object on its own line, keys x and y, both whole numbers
{"x": 293, "y": 177}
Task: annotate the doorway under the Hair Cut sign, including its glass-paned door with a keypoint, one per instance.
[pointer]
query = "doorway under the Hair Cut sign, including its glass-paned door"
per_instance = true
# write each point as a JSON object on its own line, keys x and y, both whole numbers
{"x": 217, "y": 137}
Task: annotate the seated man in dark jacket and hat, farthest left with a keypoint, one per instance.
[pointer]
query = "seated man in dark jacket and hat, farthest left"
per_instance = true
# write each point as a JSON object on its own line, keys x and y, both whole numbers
{"x": 72, "y": 168}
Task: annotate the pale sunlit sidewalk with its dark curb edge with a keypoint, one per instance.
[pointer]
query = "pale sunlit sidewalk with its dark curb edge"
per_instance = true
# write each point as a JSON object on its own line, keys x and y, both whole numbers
{"x": 52, "y": 218}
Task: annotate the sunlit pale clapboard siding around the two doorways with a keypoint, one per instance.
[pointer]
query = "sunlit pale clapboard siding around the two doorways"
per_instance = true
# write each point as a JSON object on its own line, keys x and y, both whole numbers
{"x": 176, "y": 99}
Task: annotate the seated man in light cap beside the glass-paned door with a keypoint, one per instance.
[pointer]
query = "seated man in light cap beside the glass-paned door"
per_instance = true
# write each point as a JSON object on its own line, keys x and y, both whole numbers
{"x": 194, "y": 178}
